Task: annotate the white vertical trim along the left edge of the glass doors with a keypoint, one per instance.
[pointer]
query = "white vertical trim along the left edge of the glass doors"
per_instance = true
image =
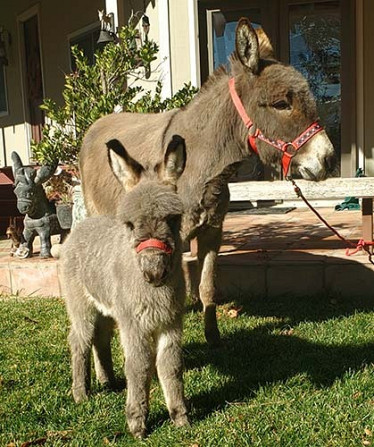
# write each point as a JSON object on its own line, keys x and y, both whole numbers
{"x": 194, "y": 43}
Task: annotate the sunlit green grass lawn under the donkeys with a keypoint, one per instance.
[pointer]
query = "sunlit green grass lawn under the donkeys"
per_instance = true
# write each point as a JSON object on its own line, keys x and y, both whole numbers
{"x": 290, "y": 372}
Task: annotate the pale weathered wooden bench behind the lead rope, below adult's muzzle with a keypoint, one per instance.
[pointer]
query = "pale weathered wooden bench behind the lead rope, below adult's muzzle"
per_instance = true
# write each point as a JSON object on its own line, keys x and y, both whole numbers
{"x": 334, "y": 188}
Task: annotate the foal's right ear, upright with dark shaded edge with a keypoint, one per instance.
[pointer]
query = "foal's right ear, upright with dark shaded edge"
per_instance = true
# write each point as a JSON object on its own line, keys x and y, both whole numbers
{"x": 174, "y": 160}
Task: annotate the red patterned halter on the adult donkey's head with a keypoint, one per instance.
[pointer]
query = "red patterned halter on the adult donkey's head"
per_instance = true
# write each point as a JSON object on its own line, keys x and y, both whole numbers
{"x": 294, "y": 145}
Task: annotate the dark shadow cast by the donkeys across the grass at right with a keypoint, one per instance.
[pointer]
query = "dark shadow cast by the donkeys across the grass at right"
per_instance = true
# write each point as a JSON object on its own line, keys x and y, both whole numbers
{"x": 250, "y": 359}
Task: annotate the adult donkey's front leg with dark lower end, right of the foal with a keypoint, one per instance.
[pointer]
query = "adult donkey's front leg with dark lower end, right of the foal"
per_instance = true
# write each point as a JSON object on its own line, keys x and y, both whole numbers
{"x": 209, "y": 241}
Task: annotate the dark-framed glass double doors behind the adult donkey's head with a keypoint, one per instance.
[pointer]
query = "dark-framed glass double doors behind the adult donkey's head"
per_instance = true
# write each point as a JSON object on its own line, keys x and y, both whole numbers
{"x": 306, "y": 34}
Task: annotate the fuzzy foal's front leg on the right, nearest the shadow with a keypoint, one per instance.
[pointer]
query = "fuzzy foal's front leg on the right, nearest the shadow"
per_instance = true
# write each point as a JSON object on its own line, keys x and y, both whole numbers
{"x": 169, "y": 364}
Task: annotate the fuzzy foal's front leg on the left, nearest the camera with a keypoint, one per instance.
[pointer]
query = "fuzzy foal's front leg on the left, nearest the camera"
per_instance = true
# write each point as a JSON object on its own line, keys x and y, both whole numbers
{"x": 139, "y": 368}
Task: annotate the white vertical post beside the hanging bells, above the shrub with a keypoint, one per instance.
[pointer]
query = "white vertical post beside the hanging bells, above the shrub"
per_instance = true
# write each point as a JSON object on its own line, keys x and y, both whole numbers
{"x": 164, "y": 52}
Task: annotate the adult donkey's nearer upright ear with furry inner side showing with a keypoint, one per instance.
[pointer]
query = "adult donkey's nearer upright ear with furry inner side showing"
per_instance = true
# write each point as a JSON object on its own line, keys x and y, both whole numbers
{"x": 246, "y": 44}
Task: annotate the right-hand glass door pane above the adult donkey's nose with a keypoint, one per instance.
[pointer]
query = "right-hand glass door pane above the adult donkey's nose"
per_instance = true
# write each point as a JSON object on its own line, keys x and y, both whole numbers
{"x": 315, "y": 50}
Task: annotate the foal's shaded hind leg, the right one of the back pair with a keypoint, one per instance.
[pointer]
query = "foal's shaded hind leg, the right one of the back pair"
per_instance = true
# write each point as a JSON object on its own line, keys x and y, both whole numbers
{"x": 102, "y": 350}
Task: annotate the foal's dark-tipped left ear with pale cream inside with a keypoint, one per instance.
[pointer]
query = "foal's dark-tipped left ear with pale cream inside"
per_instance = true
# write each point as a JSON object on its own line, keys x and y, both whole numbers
{"x": 127, "y": 170}
